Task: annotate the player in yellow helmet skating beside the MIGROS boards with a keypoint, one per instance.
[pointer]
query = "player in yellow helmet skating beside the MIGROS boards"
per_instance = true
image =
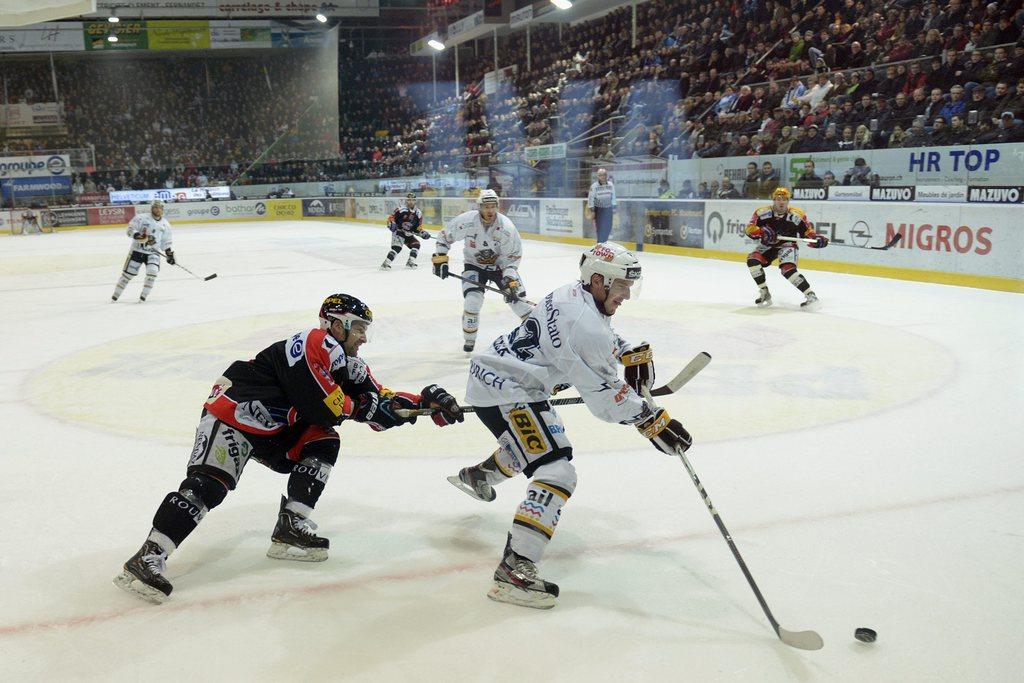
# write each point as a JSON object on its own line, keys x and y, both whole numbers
{"x": 769, "y": 225}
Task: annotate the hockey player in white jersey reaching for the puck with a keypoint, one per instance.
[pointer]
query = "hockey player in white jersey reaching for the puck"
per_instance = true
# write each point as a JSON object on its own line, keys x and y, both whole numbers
{"x": 567, "y": 340}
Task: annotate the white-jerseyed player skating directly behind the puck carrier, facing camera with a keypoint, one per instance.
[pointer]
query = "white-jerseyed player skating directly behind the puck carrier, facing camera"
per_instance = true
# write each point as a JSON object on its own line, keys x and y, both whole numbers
{"x": 493, "y": 250}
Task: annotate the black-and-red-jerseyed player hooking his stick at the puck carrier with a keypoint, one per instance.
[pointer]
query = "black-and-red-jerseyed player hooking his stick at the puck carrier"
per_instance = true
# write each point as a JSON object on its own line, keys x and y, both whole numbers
{"x": 280, "y": 409}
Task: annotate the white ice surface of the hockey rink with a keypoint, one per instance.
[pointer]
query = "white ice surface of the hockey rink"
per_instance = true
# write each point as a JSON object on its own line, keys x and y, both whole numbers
{"x": 867, "y": 459}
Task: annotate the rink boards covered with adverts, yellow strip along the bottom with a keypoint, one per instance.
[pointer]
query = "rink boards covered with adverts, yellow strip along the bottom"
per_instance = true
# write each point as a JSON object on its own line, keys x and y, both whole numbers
{"x": 958, "y": 244}
